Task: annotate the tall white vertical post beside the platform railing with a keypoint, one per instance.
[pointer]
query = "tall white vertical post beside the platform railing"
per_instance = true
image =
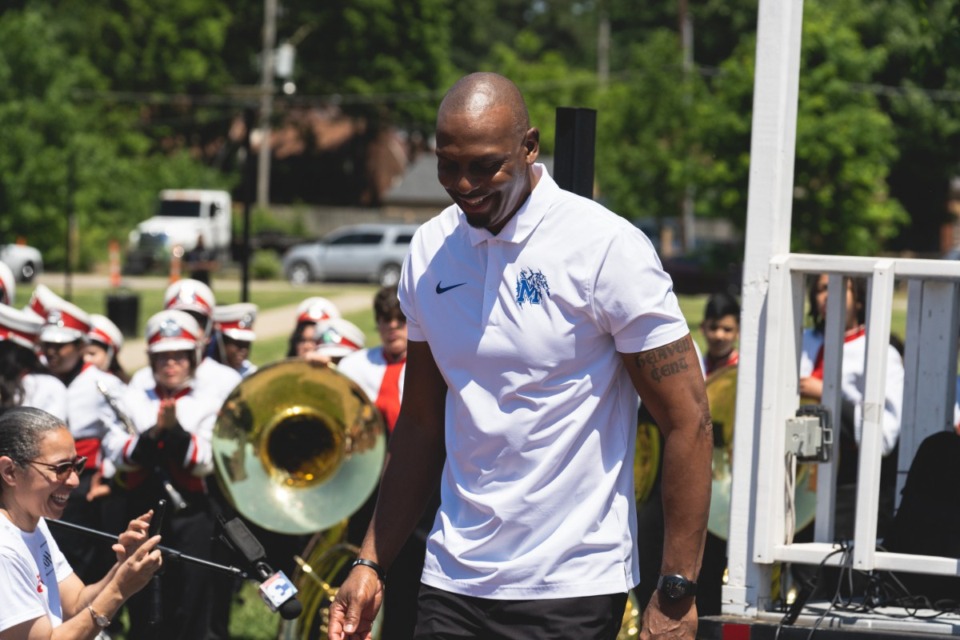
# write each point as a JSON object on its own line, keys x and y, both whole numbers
{"x": 769, "y": 209}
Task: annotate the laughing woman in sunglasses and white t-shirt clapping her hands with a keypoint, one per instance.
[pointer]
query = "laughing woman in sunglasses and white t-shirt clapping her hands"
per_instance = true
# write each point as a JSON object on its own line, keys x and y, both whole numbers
{"x": 41, "y": 596}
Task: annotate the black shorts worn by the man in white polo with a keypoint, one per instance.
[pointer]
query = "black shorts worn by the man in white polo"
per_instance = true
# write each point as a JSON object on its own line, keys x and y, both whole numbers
{"x": 445, "y": 615}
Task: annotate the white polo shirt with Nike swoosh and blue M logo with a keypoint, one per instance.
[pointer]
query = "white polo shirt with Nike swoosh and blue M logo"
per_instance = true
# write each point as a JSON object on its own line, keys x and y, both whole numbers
{"x": 526, "y": 326}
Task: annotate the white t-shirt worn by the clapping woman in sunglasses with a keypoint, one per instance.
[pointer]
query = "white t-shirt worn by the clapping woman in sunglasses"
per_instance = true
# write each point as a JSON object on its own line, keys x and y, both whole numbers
{"x": 31, "y": 569}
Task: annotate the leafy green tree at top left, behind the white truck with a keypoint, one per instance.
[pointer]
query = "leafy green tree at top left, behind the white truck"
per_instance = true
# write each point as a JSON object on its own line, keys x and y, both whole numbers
{"x": 59, "y": 155}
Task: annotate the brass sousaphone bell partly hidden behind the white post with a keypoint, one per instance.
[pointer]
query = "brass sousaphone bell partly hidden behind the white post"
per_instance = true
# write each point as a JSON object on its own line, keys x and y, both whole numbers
{"x": 721, "y": 397}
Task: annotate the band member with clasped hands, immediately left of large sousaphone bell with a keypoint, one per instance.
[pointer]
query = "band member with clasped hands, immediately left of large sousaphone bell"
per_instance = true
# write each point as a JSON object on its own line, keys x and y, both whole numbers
{"x": 174, "y": 424}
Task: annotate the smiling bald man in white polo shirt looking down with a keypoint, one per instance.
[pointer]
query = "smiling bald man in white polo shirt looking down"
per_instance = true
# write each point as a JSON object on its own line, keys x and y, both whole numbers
{"x": 535, "y": 317}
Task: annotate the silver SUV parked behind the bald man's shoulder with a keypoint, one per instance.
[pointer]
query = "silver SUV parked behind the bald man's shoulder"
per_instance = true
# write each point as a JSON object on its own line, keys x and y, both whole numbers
{"x": 369, "y": 252}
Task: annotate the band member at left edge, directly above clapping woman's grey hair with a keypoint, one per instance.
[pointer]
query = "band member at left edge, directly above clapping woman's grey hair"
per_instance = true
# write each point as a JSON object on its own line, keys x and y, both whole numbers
{"x": 24, "y": 380}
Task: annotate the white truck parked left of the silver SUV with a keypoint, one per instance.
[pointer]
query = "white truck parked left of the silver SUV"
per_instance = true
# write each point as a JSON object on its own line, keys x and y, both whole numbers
{"x": 182, "y": 216}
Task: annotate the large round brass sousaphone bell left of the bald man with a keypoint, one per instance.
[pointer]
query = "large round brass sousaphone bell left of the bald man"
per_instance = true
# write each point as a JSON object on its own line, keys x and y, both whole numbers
{"x": 298, "y": 448}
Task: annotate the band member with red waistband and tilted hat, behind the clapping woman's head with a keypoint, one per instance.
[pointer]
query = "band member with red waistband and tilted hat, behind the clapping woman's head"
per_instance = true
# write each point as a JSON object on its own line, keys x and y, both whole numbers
{"x": 89, "y": 417}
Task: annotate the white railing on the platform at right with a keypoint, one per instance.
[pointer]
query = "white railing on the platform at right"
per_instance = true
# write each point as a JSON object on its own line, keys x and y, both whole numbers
{"x": 930, "y": 366}
